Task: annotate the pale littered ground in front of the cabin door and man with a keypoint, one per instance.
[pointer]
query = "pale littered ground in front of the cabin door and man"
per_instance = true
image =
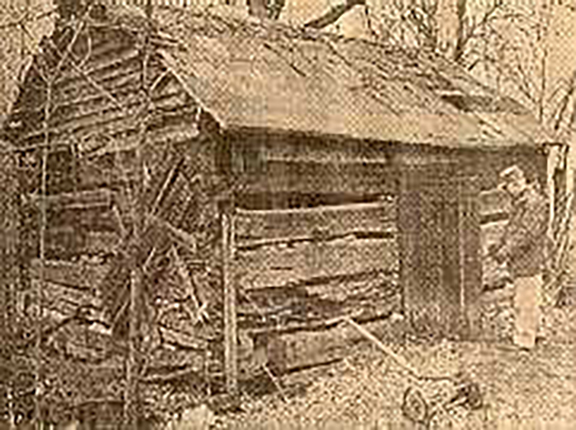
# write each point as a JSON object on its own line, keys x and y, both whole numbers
{"x": 521, "y": 390}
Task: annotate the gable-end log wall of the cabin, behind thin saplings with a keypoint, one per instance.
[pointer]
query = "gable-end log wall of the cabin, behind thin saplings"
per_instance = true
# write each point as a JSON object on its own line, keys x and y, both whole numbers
{"x": 96, "y": 123}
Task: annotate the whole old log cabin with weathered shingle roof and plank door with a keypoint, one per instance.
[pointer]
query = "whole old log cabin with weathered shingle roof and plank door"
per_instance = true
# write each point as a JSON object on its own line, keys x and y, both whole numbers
{"x": 257, "y": 181}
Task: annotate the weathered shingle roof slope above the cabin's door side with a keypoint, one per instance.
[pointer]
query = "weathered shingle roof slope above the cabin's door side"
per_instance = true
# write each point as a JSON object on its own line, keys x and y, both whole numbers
{"x": 251, "y": 75}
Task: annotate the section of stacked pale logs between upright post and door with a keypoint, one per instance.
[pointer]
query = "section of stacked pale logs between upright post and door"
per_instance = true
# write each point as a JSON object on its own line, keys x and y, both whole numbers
{"x": 298, "y": 268}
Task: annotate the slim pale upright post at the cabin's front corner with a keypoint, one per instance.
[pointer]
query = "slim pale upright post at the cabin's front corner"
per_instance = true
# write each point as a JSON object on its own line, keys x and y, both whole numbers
{"x": 230, "y": 317}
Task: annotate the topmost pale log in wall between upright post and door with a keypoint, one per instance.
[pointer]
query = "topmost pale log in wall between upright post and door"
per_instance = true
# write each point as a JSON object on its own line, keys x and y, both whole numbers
{"x": 337, "y": 220}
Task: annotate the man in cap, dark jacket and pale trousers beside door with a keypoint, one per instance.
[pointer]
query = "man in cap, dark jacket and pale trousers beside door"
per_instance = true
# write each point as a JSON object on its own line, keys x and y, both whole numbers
{"x": 523, "y": 247}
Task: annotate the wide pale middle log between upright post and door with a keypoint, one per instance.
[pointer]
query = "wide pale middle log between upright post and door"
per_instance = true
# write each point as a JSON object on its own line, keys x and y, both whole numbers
{"x": 276, "y": 267}
